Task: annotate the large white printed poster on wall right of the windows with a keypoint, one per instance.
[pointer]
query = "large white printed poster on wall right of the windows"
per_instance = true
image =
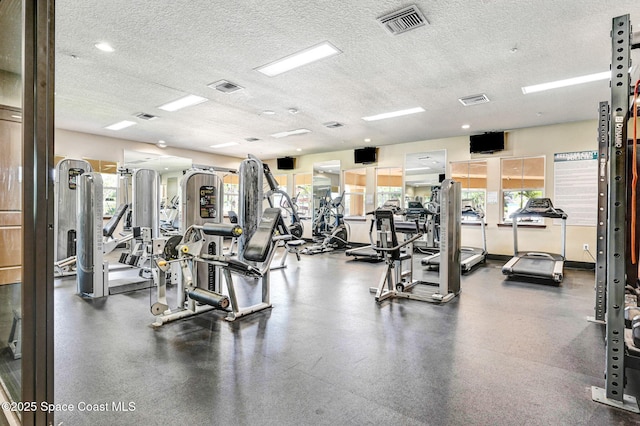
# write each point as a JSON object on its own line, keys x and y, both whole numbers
{"x": 576, "y": 186}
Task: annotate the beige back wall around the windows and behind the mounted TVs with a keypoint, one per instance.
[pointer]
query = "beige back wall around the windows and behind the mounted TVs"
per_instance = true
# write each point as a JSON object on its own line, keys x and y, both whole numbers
{"x": 544, "y": 140}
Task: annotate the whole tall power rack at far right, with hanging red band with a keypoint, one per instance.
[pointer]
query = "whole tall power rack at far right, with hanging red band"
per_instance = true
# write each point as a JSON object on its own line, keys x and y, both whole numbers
{"x": 616, "y": 268}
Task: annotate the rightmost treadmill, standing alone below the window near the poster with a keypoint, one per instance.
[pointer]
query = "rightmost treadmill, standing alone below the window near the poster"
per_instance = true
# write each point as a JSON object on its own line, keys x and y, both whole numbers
{"x": 537, "y": 264}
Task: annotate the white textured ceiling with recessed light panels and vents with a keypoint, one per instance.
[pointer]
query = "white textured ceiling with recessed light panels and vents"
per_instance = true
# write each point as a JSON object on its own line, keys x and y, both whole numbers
{"x": 167, "y": 49}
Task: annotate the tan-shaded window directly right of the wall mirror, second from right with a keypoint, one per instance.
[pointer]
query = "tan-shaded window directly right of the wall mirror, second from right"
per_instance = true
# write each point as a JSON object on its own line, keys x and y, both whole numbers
{"x": 472, "y": 176}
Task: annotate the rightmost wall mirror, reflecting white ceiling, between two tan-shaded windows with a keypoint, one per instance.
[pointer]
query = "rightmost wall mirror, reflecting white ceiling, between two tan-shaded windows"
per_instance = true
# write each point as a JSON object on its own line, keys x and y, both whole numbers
{"x": 422, "y": 171}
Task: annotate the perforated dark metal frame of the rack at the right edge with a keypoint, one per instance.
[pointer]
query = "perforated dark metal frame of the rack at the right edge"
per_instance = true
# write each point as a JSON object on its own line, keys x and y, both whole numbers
{"x": 618, "y": 356}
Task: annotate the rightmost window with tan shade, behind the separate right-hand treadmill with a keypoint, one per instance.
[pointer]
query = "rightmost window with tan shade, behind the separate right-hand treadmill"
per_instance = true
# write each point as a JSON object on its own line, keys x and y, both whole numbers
{"x": 522, "y": 179}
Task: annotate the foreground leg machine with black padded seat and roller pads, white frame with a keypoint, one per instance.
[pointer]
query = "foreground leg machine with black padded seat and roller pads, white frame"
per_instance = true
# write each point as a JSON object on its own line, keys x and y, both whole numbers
{"x": 193, "y": 295}
